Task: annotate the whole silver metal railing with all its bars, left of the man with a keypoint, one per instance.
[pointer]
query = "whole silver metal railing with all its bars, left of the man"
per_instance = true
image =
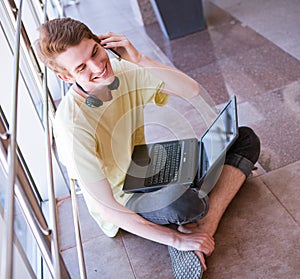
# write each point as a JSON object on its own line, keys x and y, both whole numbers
{"x": 51, "y": 257}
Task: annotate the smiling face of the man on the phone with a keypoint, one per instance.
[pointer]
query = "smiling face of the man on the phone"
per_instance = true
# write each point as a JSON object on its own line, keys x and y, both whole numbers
{"x": 88, "y": 65}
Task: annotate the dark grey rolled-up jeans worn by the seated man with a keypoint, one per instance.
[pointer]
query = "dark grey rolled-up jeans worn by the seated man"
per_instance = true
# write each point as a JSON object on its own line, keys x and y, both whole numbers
{"x": 181, "y": 205}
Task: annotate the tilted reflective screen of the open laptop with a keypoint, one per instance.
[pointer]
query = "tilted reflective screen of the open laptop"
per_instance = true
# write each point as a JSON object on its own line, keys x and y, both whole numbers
{"x": 219, "y": 136}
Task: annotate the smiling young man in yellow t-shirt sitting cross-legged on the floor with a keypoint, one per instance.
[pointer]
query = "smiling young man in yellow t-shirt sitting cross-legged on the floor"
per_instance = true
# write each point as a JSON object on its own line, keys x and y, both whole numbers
{"x": 100, "y": 120}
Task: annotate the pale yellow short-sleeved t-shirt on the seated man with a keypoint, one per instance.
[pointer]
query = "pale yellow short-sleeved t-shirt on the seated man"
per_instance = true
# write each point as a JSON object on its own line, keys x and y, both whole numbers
{"x": 97, "y": 143}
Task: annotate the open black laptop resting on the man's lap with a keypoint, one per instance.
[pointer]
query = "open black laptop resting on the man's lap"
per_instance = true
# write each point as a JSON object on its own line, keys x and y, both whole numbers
{"x": 182, "y": 162}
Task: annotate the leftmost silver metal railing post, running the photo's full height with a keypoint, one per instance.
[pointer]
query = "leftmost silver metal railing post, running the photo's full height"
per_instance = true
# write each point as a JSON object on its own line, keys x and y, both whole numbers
{"x": 9, "y": 199}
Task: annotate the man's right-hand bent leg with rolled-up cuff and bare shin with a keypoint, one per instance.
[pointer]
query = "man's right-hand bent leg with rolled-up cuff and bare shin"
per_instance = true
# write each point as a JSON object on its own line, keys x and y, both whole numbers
{"x": 239, "y": 162}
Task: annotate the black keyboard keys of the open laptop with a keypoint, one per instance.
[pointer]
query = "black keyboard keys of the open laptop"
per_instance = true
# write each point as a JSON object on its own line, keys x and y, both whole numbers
{"x": 165, "y": 164}
